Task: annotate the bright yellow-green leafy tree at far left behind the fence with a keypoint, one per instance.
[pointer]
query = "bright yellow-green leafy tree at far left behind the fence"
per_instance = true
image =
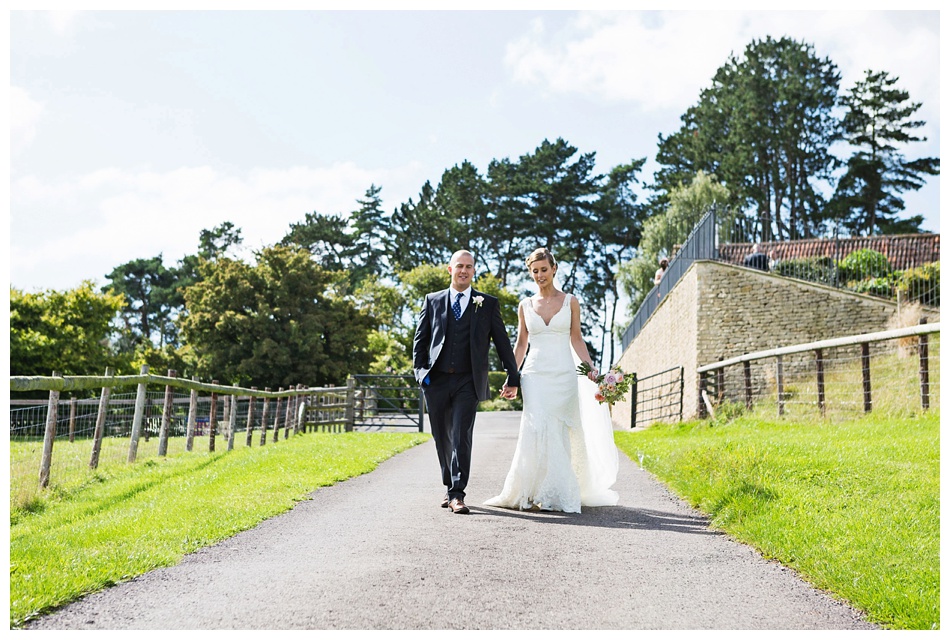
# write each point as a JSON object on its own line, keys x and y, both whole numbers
{"x": 65, "y": 331}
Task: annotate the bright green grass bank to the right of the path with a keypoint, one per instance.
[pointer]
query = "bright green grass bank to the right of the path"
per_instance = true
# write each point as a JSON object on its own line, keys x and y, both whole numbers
{"x": 854, "y": 507}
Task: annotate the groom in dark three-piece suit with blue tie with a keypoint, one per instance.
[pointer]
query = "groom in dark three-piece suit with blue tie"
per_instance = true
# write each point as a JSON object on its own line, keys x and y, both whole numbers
{"x": 450, "y": 358}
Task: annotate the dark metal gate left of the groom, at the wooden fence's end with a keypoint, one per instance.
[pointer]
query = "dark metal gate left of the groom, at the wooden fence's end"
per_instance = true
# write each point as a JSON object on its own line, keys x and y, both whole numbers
{"x": 383, "y": 402}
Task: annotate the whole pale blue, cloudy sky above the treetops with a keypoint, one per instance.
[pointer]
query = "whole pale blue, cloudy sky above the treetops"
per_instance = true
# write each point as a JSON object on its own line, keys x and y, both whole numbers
{"x": 131, "y": 131}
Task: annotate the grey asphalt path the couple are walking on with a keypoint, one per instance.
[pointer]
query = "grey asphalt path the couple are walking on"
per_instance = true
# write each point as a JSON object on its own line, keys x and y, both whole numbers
{"x": 377, "y": 552}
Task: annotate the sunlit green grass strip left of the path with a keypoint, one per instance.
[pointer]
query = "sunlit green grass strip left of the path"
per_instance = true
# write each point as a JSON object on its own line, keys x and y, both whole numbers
{"x": 152, "y": 513}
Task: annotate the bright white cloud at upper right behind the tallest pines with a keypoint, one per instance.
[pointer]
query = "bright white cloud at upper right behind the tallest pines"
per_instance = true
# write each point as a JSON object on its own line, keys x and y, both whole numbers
{"x": 661, "y": 60}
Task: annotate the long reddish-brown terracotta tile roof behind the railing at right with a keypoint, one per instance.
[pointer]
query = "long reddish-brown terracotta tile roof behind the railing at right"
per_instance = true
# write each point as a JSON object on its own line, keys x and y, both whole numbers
{"x": 903, "y": 252}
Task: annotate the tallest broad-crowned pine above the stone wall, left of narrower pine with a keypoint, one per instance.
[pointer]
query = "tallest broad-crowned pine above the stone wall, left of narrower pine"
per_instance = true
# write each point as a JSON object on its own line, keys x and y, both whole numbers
{"x": 765, "y": 127}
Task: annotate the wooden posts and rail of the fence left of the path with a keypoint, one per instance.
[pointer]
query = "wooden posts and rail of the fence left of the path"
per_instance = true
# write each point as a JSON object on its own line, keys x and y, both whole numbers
{"x": 305, "y": 408}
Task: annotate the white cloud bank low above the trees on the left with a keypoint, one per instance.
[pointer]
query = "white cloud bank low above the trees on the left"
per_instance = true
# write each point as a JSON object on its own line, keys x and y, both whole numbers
{"x": 108, "y": 217}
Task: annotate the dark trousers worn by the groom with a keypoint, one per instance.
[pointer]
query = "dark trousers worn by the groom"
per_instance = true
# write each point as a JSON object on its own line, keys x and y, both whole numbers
{"x": 452, "y": 403}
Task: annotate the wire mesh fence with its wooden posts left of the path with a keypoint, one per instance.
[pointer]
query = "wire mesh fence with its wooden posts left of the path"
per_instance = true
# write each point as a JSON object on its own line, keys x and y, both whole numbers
{"x": 77, "y": 441}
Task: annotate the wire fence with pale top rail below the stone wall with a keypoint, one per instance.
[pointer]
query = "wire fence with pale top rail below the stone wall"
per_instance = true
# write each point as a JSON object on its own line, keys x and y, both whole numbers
{"x": 893, "y": 373}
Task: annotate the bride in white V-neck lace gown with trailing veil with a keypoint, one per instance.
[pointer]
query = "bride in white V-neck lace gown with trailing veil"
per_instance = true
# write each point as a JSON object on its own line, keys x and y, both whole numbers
{"x": 565, "y": 457}
